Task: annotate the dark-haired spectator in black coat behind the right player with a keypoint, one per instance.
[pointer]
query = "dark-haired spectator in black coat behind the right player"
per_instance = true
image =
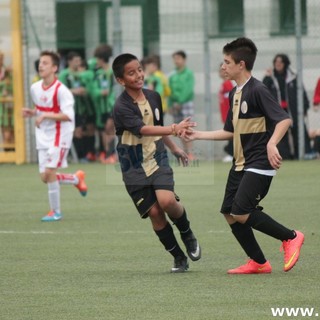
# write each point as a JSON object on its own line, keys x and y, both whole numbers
{"x": 282, "y": 82}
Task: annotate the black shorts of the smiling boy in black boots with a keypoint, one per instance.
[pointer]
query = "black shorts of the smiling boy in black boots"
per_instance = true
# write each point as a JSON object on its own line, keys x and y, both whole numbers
{"x": 144, "y": 195}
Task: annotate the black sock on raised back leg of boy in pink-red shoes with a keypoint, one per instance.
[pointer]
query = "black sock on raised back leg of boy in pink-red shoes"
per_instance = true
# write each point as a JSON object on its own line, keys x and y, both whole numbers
{"x": 262, "y": 222}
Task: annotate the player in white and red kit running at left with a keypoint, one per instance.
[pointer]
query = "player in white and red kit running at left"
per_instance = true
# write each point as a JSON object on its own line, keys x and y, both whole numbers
{"x": 54, "y": 122}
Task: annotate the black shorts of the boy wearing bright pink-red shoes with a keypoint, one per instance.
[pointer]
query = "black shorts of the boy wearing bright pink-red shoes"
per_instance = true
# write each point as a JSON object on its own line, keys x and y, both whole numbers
{"x": 244, "y": 191}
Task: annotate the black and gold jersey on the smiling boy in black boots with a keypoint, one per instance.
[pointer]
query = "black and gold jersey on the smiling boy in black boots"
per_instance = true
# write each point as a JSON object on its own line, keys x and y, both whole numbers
{"x": 139, "y": 156}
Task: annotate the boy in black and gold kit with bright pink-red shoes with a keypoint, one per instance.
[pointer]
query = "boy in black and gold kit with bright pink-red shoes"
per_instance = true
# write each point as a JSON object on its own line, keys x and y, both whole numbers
{"x": 256, "y": 123}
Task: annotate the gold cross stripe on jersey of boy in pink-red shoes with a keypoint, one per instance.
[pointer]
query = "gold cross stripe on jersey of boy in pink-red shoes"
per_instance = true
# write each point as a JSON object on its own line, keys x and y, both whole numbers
{"x": 243, "y": 126}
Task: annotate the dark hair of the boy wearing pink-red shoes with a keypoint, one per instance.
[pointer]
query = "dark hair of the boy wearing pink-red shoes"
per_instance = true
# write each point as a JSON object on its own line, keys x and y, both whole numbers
{"x": 242, "y": 49}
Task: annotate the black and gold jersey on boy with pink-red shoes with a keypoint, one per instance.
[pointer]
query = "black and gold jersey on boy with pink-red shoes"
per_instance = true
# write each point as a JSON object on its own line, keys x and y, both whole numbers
{"x": 252, "y": 118}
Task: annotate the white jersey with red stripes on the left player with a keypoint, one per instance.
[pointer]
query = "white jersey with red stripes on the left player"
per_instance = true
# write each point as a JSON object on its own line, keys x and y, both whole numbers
{"x": 58, "y": 99}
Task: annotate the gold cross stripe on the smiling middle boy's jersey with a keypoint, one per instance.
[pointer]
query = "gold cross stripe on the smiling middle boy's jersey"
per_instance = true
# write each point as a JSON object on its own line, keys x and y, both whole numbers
{"x": 149, "y": 163}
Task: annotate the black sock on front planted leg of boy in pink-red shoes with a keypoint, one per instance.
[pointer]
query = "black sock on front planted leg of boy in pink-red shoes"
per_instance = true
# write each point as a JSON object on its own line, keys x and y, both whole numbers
{"x": 244, "y": 234}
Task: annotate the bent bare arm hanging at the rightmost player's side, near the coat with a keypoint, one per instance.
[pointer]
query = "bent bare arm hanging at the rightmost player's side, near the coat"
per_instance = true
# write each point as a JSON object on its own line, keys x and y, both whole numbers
{"x": 273, "y": 153}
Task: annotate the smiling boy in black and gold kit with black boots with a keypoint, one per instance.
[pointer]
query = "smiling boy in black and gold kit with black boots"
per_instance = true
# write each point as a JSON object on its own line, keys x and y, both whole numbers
{"x": 144, "y": 162}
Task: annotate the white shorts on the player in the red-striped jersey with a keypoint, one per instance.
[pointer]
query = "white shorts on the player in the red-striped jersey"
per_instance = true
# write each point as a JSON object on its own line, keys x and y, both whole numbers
{"x": 54, "y": 157}
